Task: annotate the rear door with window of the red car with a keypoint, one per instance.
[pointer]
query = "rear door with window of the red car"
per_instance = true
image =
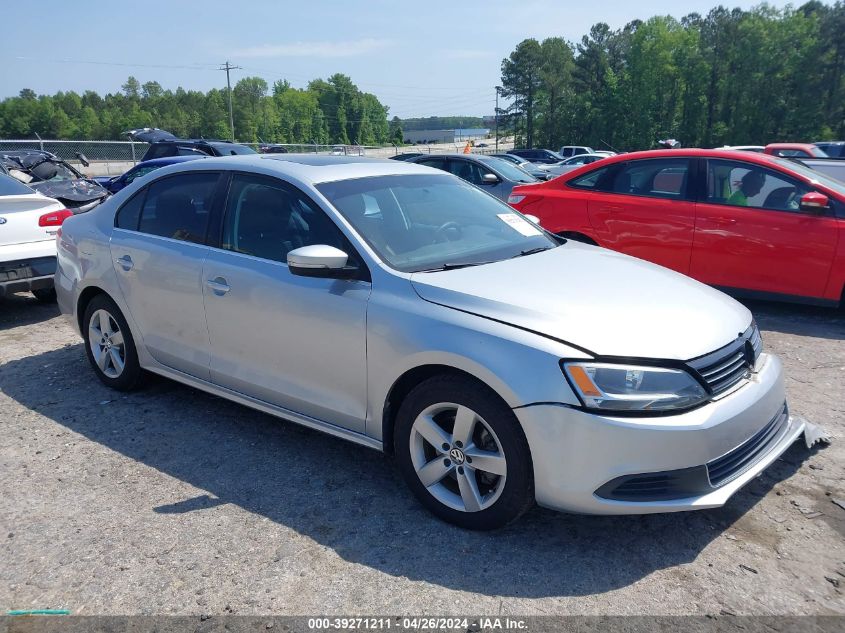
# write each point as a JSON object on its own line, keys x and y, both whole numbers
{"x": 646, "y": 212}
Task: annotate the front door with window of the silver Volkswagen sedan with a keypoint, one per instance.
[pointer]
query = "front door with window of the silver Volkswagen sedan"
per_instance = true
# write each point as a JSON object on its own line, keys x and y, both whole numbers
{"x": 295, "y": 342}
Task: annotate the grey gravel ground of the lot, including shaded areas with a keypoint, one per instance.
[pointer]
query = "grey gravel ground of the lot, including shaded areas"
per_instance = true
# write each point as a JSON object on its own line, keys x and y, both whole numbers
{"x": 169, "y": 500}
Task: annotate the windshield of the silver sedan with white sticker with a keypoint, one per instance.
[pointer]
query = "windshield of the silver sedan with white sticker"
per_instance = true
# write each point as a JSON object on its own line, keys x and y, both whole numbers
{"x": 425, "y": 222}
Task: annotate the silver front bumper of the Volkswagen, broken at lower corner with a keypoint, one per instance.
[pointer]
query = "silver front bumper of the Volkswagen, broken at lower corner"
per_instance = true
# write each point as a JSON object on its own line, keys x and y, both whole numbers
{"x": 579, "y": 457}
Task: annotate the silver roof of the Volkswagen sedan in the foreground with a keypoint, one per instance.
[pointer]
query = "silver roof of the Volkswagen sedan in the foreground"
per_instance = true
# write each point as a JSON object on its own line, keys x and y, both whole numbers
{"x": 312, "y": 168}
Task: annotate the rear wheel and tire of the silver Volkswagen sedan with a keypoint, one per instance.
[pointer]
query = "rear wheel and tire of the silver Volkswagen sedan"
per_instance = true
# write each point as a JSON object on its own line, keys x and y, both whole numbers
{"x": 109, "y": 345}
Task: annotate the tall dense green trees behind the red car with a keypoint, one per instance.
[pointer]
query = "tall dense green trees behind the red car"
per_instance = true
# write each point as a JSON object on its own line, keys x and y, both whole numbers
{"x": 731, "y": 77}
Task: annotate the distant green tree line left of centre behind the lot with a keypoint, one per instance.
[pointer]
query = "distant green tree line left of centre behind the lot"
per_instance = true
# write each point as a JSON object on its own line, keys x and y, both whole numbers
{"x": 334, "y": 110}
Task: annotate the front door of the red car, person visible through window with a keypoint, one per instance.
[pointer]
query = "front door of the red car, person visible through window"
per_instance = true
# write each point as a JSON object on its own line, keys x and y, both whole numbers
{"x": 750, "y": 233}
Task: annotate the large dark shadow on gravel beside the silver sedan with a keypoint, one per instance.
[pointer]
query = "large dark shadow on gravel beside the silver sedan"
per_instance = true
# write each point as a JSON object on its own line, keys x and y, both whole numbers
{"x": 352, "y": 500}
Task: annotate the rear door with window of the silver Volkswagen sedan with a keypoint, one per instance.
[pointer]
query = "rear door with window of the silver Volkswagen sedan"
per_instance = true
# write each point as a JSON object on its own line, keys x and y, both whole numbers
{"x": 158, "y": 248}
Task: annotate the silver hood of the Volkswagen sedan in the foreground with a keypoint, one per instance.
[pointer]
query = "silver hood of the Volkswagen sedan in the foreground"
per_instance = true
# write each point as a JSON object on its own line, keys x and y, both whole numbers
{"x": 604, "y": 302}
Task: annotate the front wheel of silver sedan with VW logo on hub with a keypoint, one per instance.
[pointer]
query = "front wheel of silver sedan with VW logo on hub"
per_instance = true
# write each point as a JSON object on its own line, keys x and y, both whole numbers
{"x": 463, "y": 454}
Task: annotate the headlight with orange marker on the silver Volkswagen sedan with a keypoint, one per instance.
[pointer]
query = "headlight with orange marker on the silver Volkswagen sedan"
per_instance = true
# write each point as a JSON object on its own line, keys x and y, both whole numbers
{"x": 633, "y": 388}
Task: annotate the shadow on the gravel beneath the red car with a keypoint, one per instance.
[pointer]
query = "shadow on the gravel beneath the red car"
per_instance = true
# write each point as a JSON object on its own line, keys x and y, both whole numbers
{"x": 801, "y": 320}
